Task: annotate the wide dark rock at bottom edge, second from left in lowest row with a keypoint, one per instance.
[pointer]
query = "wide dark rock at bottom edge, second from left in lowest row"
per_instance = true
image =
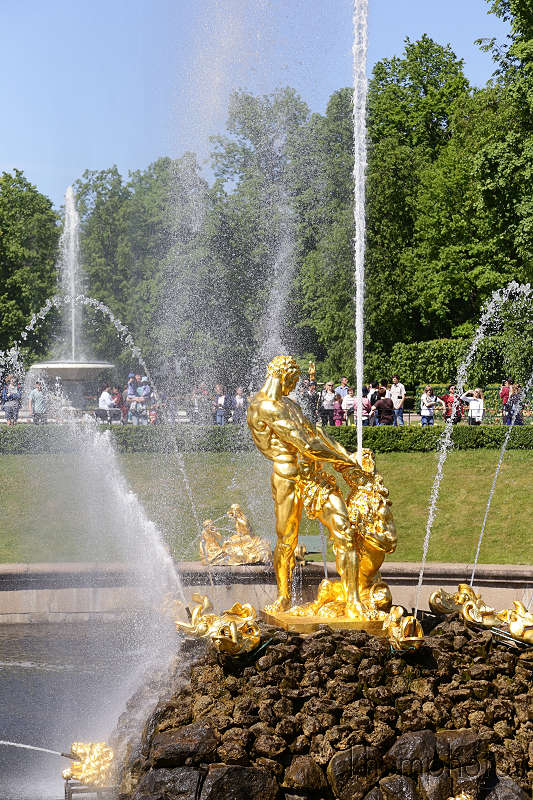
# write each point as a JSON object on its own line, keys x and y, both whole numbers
{"x": 238, "y": 783}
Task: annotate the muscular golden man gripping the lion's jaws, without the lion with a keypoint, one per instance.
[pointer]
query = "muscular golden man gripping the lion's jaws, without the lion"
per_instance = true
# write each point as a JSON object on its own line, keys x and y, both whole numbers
{"x": 298, "y": 449}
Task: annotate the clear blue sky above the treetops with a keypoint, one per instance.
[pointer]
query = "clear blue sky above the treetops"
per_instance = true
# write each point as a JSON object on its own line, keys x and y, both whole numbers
{"x": 87, "y": 85}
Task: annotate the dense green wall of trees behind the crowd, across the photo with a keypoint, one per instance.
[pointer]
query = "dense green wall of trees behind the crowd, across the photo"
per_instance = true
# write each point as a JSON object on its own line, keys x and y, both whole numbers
{"x": 212, "y": 279}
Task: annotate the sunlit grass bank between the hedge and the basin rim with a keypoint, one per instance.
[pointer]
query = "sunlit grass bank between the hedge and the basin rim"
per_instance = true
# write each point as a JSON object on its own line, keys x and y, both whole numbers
{"x": 46, "y": 518}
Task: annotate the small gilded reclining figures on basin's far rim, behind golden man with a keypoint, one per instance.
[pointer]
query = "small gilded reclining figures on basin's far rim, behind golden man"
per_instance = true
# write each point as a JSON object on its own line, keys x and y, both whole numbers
{"x": 241, "y": 548}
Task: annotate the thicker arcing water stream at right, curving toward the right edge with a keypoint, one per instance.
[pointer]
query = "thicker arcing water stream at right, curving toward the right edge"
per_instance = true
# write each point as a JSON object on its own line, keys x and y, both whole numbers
{"x": 491, "y": 308}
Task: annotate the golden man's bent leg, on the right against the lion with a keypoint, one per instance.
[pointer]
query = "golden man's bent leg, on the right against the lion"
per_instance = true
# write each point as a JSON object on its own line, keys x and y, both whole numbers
{"x": 334, "y": 516}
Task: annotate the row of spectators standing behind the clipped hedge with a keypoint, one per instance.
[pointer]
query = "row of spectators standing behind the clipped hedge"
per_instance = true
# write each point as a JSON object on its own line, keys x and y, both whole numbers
{"x": 382, "y": 403}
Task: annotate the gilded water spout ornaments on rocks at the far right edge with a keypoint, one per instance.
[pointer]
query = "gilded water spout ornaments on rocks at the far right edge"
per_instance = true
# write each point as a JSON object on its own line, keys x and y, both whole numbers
{"x": 517, "y": 621}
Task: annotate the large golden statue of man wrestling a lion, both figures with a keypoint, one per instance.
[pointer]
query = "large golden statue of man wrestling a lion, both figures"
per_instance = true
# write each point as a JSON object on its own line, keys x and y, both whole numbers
{"x": 361, "y": 529}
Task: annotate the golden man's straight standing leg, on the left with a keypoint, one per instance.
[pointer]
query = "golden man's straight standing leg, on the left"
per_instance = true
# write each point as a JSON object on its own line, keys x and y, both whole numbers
{"x": 288, "y": 508}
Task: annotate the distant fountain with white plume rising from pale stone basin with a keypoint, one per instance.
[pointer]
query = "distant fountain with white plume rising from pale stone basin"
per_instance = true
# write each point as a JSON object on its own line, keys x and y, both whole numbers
{"x": 77, "y": 373}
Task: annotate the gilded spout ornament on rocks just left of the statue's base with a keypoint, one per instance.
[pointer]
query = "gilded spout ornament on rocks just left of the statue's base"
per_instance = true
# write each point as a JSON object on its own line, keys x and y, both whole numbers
{"x": 232, "y": 633}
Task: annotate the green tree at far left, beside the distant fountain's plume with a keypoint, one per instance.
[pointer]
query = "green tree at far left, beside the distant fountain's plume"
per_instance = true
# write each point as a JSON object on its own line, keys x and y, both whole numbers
{"x": 29, "y": 234}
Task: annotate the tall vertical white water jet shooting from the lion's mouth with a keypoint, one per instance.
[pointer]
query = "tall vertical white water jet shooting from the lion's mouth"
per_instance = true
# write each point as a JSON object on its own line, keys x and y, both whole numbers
{"x": 360, "y": 50}
